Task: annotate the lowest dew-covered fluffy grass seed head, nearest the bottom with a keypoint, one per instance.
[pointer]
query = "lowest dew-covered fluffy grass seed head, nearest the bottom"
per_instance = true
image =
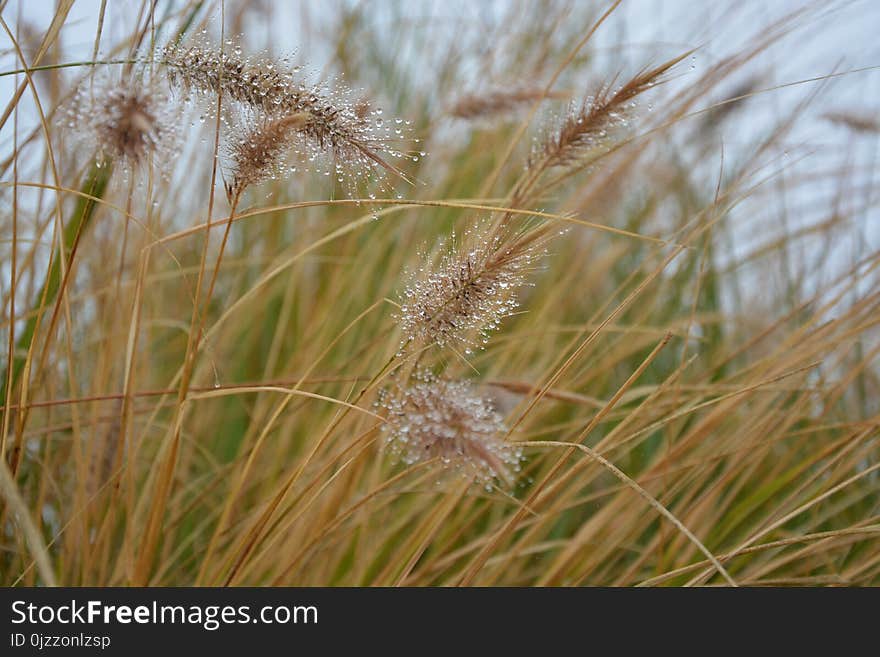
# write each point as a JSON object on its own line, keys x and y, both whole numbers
{"x": 438, "y": 418}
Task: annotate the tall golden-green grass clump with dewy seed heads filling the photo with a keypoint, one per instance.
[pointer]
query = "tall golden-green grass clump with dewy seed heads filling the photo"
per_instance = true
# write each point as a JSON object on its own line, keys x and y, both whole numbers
{"x": 436, "y": 302}
